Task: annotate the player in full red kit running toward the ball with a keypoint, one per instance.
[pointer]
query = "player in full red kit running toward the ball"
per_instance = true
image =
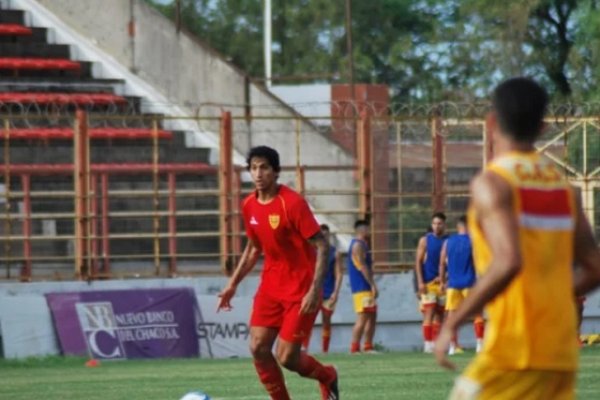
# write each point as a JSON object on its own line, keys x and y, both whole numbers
{"x": 280, "y": 225}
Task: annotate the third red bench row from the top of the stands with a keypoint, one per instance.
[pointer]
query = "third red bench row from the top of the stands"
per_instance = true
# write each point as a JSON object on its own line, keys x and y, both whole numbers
{"x": 62, "y": 98}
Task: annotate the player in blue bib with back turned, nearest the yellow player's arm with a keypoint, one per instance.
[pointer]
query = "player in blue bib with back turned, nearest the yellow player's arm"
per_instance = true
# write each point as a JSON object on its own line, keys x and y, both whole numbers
{"x": 457, "y": 275}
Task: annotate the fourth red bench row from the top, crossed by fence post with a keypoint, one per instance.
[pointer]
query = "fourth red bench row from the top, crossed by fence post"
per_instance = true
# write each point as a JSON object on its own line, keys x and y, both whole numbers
{"x": 95, "y": 133}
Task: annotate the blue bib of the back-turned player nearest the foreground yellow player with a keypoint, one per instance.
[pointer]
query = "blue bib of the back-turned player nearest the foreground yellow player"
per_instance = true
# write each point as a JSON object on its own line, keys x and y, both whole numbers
{"x": 461, "y": 271}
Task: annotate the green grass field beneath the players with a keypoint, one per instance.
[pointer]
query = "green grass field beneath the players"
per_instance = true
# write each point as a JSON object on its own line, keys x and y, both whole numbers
{"x": 384, "y": 376}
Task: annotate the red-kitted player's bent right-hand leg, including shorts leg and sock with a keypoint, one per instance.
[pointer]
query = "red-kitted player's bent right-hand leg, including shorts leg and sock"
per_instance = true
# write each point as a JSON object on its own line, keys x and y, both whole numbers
{"x": 293, "y": 330}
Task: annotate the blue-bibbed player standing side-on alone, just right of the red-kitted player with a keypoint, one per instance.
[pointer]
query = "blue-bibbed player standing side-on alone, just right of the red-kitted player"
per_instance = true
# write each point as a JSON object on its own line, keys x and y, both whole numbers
{"x": 362, "y": 285}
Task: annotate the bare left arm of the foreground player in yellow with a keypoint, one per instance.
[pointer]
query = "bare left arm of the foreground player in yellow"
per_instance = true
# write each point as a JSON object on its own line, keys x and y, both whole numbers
{"x": 493, "y": 201}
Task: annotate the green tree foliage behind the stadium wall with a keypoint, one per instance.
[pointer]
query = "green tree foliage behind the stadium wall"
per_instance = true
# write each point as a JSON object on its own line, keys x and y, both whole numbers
{"x": 426, "y": 50}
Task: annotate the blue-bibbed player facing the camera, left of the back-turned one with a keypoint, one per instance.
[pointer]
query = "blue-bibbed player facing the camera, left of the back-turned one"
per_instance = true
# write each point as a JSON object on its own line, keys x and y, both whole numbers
{"x": 428, "y": 281}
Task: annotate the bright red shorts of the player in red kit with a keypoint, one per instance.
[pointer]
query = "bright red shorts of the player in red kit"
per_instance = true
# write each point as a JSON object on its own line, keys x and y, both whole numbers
{"x": 283, "y": 315}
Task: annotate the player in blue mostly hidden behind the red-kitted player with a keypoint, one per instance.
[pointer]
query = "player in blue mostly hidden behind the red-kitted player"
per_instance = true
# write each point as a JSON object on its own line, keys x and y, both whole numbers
{"x": 331, "y": 289}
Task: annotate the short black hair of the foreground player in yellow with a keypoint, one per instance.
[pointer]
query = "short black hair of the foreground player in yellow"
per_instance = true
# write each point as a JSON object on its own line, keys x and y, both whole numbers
{"x": 520, "y": 105}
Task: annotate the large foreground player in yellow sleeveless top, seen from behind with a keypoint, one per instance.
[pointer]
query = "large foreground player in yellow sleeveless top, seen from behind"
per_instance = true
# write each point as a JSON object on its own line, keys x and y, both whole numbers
{"x": 528, "y": 230}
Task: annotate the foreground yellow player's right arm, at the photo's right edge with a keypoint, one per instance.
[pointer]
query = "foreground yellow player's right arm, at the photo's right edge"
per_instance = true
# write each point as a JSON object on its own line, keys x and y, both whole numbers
{"x": 587, "y": 255}
